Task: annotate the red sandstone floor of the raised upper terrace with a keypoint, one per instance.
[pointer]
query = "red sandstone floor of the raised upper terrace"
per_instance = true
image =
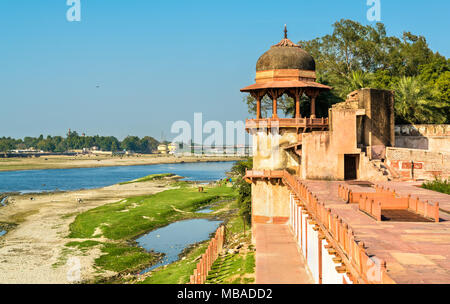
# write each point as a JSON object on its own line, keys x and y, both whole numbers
{"x": 415, "y": 252}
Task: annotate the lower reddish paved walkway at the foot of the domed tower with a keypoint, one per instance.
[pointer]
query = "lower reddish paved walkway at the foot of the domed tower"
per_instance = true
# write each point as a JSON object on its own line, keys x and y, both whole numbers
{"x": 278, "y": 260}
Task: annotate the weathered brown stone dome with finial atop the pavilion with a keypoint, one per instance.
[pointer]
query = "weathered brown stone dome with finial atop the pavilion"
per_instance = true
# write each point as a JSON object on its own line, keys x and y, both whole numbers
{"x": 286, "y": 55}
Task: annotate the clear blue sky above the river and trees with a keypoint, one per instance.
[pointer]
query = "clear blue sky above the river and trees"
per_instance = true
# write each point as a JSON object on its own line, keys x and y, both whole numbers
{"x": 160, "y": 61}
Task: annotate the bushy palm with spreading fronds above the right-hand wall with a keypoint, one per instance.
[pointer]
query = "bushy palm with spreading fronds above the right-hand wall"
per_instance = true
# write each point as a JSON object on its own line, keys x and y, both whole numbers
{"x": 414, "y": 103}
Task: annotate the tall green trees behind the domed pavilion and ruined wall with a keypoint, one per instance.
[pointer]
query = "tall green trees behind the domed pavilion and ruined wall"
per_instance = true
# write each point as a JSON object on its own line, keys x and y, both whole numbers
{"x": 355, "y": 56}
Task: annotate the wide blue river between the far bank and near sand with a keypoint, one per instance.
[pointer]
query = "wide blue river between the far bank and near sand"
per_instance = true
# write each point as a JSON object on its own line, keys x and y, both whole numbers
{"x": 91, "y": 178}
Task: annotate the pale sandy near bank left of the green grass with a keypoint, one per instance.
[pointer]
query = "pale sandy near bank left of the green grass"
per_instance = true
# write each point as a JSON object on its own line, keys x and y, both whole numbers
{"x": 29, "y": 252}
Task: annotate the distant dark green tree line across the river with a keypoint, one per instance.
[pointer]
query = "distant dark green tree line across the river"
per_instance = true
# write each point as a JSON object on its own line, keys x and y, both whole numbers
{"x": 73, "y": 141}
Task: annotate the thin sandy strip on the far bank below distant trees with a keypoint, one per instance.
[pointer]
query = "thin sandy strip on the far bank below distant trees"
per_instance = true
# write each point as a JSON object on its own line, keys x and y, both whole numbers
{"x": 86, "y": 161}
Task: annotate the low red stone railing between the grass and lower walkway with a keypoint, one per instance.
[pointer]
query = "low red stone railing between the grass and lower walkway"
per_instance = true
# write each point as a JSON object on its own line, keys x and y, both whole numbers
{"x": 215, "y": 247}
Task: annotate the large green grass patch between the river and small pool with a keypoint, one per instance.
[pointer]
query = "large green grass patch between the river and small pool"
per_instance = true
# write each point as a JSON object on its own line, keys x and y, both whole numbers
{"x": 135, "y": 216}
